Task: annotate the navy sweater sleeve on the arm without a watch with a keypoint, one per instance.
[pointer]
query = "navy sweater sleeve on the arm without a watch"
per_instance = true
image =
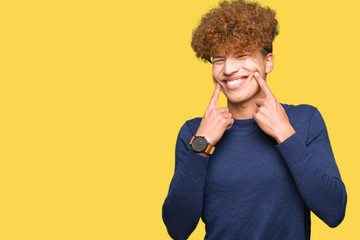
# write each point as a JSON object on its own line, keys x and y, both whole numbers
{"x": 315, "y": 172}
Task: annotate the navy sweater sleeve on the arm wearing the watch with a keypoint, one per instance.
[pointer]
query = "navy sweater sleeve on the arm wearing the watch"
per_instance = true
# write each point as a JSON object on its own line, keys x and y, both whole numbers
{"x": 182, "y": 207}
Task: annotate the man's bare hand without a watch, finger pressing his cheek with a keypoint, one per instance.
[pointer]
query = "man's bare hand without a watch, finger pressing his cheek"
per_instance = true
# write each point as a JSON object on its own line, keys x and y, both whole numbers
{"x": 270, "y": 115}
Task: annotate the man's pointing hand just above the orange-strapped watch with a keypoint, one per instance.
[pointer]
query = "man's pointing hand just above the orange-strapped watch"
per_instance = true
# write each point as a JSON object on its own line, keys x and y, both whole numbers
{"x": 216, "y": 120}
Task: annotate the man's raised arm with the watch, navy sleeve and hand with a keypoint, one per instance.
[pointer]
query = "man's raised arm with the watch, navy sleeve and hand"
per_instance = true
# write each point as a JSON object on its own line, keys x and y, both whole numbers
{"x": 183, "y": 205}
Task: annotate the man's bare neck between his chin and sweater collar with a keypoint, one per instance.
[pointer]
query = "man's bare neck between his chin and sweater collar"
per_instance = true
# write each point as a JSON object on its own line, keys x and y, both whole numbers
{"x": 244, "y": 110}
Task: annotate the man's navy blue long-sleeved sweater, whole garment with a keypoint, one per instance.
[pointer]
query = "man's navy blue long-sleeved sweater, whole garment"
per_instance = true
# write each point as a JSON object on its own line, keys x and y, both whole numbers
{"x": 254, "y": 188}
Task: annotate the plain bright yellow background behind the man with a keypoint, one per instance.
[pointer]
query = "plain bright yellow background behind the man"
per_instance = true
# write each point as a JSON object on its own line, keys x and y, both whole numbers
{"x": 93, "y": 94}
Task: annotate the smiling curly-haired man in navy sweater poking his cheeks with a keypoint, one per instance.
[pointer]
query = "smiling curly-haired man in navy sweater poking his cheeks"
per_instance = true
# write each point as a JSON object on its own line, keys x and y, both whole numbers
{"x": 256, "y": 168}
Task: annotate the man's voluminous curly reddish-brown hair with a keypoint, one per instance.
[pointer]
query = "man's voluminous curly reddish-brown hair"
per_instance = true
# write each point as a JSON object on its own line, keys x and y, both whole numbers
{"x": 239, "y": 26}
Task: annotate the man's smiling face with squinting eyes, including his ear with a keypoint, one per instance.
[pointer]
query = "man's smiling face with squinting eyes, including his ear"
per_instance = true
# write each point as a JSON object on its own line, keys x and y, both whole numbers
{"x": 235, "y": 74}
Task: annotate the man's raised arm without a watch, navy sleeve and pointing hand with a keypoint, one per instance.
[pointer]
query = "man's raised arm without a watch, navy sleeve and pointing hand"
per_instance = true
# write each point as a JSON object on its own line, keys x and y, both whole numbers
{"x": 311, "y": 163}
